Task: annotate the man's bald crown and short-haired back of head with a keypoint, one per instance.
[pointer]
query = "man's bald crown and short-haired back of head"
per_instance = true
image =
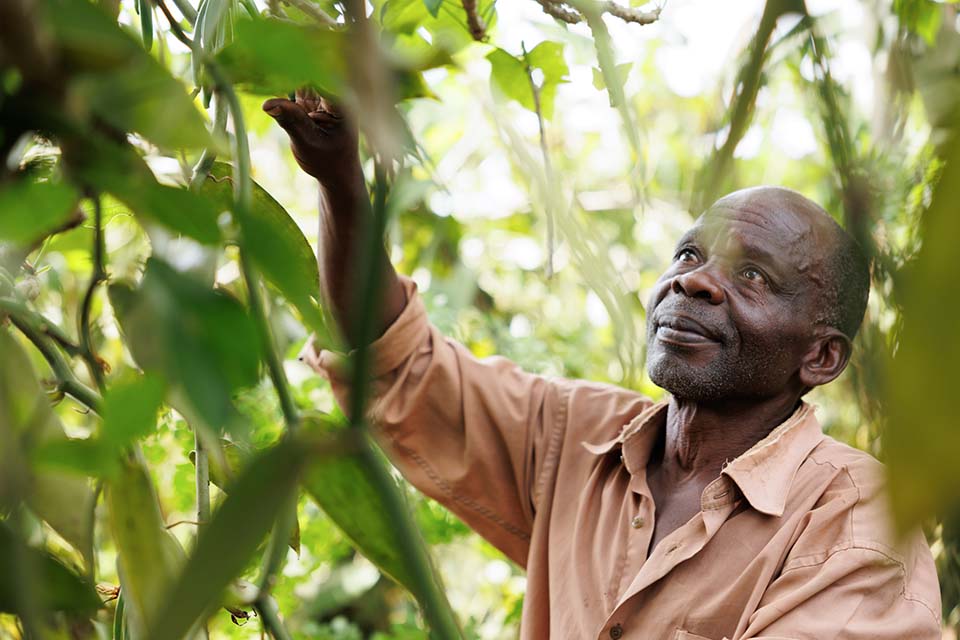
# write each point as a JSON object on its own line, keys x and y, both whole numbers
{"x": 824, "y": 249}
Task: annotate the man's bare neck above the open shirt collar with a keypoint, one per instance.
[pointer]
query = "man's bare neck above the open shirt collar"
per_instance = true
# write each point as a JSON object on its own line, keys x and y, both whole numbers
{"x": 700, "y": 438}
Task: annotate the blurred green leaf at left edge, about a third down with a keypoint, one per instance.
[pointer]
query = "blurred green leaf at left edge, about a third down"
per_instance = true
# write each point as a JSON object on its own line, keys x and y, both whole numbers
{"x": 32, "y": 210}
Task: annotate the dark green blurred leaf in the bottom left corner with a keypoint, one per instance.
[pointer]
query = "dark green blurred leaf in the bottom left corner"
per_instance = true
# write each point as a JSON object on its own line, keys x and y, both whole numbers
{"x": 55, "y": 586}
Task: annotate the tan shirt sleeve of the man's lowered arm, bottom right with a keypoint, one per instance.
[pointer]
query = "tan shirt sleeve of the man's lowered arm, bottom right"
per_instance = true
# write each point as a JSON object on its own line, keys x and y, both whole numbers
{"x": 856, "y": 593}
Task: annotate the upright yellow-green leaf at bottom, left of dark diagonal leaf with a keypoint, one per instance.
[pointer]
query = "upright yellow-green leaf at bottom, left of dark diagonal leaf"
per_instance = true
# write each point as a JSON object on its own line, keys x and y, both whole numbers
{"x": 148, "y": 557}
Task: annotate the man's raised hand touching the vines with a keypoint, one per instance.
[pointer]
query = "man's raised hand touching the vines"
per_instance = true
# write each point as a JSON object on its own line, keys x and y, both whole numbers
{"x": 323, "y": 140}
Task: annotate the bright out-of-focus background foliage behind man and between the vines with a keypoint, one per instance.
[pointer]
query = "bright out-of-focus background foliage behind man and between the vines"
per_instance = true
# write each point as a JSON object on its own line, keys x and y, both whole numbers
{"x": 549, "y": 263}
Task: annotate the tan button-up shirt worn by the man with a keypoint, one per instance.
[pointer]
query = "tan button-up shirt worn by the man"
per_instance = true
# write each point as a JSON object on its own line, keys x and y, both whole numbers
{"x": 791, "y": 541}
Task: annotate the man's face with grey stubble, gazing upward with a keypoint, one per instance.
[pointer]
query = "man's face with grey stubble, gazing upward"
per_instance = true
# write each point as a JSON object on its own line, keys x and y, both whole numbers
{"x": 733, "y": 315}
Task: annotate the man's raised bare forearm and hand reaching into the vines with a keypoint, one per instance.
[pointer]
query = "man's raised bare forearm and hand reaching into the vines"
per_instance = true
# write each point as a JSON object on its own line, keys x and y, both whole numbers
{"x": 324, "y": 144}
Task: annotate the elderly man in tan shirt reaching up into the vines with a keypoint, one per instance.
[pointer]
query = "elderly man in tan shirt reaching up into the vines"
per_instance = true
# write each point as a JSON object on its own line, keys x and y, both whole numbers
{"x": 723, "y": 512}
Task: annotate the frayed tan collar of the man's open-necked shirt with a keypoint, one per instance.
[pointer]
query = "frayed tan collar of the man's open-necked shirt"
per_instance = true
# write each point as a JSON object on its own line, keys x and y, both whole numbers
{"x": 764, "y": 473}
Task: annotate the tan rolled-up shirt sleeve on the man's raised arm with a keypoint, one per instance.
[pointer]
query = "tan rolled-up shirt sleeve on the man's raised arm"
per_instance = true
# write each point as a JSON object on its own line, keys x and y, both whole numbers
{"x": 481, "y": 437}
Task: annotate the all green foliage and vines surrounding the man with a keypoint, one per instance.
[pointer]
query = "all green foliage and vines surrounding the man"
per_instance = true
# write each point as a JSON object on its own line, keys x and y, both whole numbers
{"x": 546, "y": 172}
